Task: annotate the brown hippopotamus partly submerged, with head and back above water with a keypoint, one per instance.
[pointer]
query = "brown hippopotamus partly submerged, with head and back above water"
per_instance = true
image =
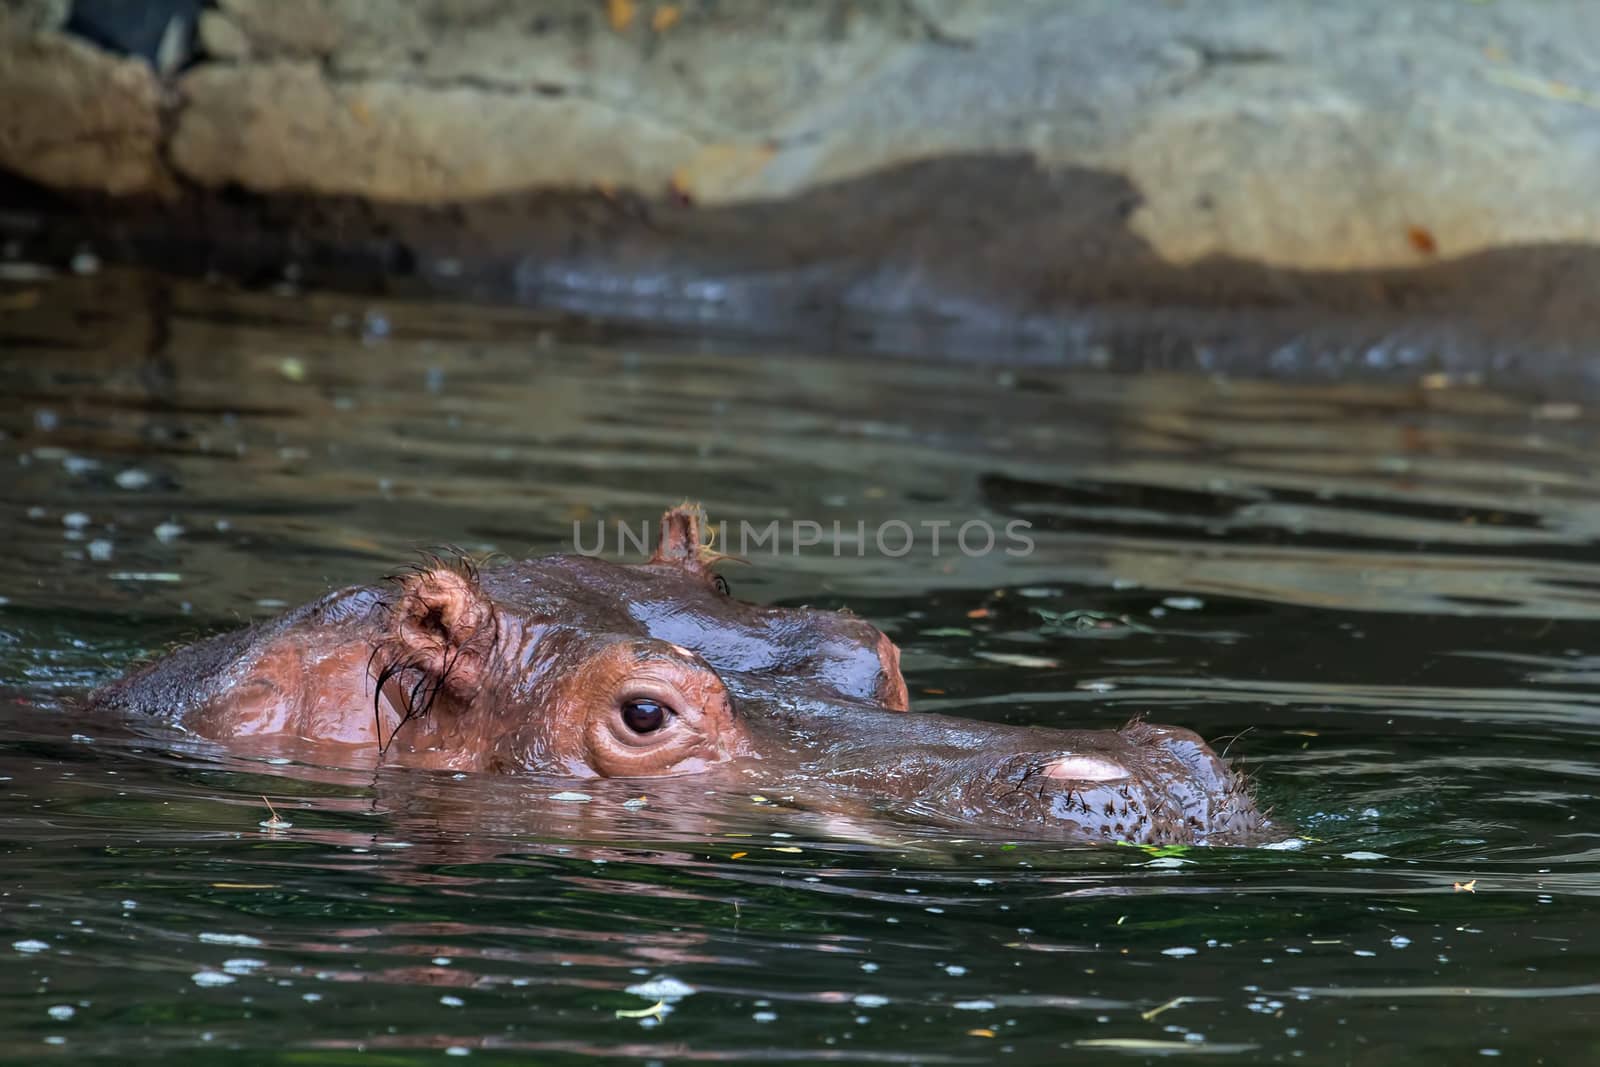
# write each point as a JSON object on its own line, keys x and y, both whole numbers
{"x": 586, "y": 668}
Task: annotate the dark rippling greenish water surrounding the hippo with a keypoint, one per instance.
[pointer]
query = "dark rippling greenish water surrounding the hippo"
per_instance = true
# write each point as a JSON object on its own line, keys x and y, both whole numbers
{"x": 1382, "y": 597}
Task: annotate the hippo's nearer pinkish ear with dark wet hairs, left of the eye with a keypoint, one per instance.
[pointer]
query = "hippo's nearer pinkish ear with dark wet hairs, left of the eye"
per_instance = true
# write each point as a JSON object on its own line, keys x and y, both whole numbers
{"x": 446, "y": 626}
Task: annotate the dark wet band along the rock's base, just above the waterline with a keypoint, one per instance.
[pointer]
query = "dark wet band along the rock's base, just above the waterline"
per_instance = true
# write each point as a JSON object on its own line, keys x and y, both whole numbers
{"x": 977, "y": 258}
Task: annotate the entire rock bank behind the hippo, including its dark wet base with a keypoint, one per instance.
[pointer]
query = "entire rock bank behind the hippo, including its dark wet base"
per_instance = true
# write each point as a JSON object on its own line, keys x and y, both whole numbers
{"x": 986, "y": 164}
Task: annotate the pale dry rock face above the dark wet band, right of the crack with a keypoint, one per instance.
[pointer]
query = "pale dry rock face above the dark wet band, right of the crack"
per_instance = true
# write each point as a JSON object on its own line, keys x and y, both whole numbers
{"x": 1313, "y": 135}
